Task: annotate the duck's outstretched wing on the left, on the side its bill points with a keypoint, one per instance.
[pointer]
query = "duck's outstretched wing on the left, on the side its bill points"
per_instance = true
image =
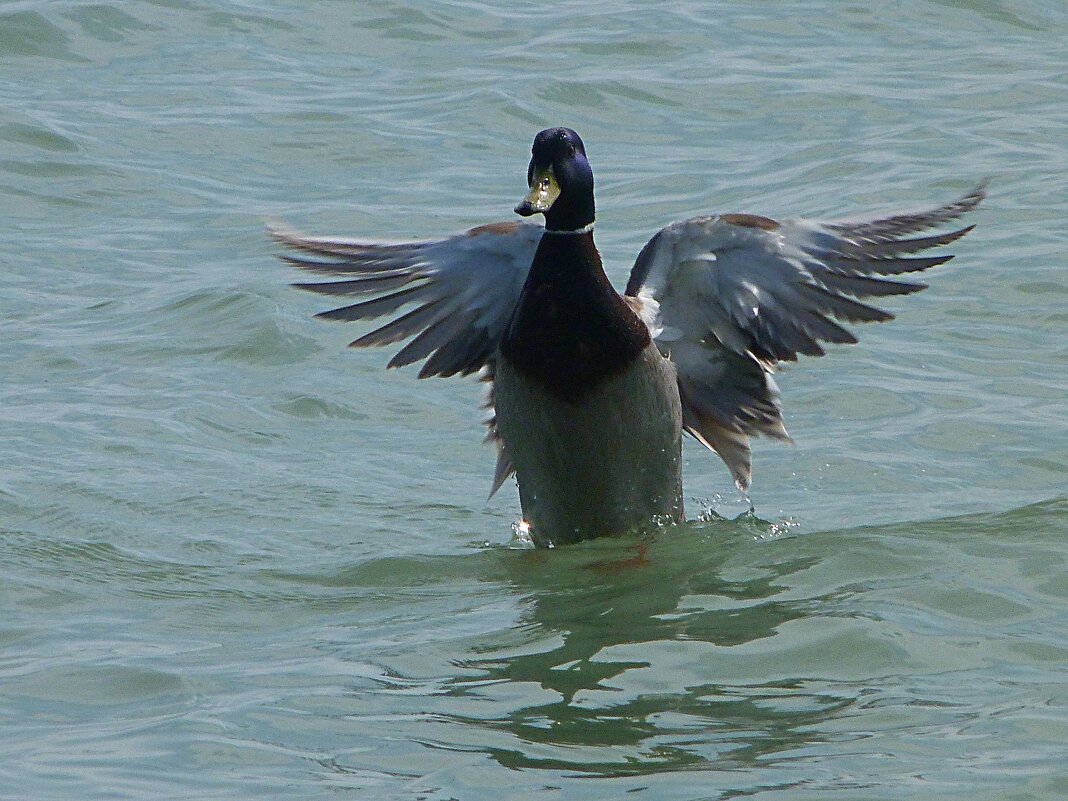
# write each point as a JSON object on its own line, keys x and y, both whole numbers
{"x": 464, "y": 291}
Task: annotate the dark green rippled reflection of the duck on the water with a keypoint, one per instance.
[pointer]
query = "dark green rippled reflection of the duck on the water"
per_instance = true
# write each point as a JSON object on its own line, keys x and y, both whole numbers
{"x": 618, "y": 631}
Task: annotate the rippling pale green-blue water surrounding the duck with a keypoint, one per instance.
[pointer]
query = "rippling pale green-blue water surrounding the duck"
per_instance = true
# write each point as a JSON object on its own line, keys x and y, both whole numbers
{"x": 238, "y": 561}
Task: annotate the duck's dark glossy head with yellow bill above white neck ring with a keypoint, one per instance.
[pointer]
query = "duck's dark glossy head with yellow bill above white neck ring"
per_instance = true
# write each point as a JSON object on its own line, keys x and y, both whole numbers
{"x": 561, "y": 182}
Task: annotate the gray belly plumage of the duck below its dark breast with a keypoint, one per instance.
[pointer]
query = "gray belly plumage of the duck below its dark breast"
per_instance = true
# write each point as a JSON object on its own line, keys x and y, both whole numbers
{"x": 586, "y": 469}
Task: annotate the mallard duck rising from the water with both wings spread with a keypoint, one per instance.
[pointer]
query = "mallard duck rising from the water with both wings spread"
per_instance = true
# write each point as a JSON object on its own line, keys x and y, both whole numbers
{"x": 591, "y": 390}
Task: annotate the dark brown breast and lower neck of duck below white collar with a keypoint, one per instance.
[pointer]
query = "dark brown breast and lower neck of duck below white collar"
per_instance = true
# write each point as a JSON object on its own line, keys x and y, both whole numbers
{"x": 572, "y": 331}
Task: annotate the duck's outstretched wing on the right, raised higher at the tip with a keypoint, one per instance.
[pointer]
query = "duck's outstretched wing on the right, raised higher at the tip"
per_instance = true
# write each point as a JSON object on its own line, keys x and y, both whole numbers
{"x": 733, "y": 295}
